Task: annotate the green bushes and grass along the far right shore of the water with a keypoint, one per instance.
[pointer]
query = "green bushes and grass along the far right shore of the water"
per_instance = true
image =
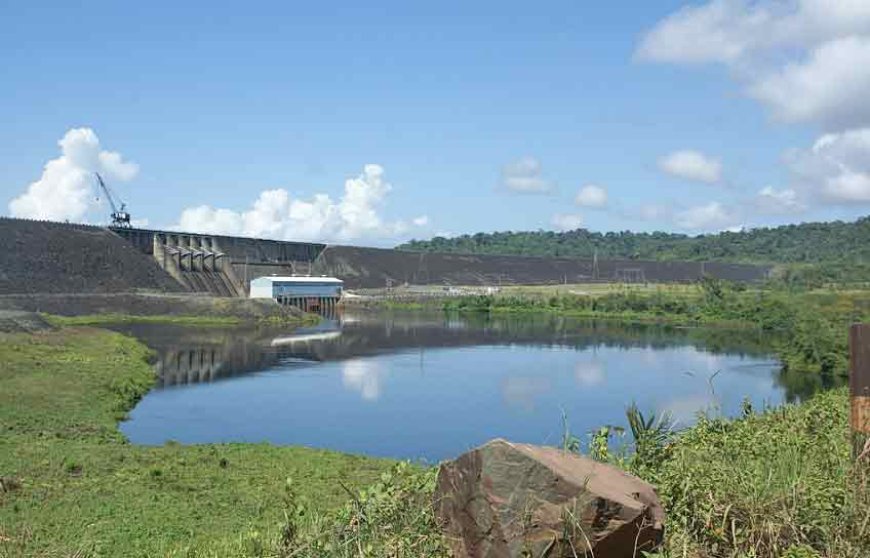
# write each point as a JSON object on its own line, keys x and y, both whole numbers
{"x": 812, "y": 324}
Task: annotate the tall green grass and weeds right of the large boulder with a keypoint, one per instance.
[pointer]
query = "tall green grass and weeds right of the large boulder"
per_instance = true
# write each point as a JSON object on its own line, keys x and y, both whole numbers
{"x": 781, "y": 483}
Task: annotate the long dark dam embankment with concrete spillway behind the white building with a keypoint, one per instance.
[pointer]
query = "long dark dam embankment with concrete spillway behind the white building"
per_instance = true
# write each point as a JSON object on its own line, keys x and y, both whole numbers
{"x": 44, "y": 257}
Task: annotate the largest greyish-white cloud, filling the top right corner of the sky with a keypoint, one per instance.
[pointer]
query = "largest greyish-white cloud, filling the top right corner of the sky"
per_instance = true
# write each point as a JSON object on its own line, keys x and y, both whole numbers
{"x": 807, "y": 60}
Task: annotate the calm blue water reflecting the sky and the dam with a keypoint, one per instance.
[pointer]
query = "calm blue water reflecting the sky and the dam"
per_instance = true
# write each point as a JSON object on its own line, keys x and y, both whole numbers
{"x": 432, "y": 386}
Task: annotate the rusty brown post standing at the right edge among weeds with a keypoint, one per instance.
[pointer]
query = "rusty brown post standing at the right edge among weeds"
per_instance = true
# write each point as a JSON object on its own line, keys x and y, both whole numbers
{"x": 859, "y": 387}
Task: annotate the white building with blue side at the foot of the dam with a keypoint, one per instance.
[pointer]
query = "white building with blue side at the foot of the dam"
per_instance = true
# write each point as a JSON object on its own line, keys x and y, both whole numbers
{"x": 311, "y": 294}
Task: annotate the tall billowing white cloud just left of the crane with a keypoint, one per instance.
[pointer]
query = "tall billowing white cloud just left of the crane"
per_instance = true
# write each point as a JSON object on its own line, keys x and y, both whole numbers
{"x": 66, "y": 189}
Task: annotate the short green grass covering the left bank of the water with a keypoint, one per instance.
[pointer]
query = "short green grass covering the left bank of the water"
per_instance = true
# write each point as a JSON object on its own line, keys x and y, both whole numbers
{"x": 78, "y": 489}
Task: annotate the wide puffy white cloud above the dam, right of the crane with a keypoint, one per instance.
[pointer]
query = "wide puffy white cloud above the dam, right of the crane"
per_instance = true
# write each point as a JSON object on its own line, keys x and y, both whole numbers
{"x": 275, "y": 214}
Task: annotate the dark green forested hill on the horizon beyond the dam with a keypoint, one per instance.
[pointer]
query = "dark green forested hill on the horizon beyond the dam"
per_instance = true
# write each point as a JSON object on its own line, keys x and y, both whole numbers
{"x": 805, "y": 243}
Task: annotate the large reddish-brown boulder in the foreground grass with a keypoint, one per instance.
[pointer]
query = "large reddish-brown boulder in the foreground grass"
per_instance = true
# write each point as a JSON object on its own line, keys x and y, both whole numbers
{"x": 506, "y": 499}
